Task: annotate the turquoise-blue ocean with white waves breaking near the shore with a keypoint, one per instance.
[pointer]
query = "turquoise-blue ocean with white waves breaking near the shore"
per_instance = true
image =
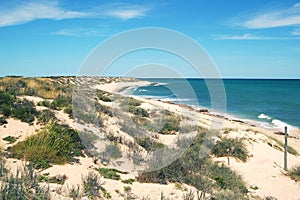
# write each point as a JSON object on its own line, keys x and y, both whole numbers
{"x": 270, "y": 103}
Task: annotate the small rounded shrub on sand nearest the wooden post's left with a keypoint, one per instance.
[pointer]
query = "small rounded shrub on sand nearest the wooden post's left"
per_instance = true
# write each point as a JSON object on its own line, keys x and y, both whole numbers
{"x": 231, "y": 147}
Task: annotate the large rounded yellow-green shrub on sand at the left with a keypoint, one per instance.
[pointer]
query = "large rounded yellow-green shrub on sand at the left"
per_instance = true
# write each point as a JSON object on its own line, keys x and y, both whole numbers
{"x": 55, "y": 144}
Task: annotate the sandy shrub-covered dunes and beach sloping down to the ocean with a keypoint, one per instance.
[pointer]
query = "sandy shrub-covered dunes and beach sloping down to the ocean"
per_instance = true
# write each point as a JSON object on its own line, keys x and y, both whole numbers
{"x": 85, "y": 138}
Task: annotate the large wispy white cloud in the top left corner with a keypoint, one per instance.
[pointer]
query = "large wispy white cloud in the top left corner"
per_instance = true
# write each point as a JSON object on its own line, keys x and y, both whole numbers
{"x": 27, "y": 12}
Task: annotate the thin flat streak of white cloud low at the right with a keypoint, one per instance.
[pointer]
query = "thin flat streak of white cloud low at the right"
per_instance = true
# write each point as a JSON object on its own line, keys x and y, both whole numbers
{"x": 248, "y": 36}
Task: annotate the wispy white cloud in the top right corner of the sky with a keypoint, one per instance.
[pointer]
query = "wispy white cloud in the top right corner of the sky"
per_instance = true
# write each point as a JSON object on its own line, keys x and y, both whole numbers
{"x": 276, "y": 18}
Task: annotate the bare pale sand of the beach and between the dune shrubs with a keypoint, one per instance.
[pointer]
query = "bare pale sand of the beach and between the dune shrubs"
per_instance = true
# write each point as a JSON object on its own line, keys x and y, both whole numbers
{"x": 263, "y": 171}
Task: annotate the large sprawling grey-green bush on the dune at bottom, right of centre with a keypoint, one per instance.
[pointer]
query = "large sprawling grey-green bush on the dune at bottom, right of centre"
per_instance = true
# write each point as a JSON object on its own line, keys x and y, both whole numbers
{"x": 201, "y": 173}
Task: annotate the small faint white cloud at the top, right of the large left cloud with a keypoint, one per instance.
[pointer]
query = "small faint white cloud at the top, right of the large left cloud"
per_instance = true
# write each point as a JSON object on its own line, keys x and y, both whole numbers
{"x": 127, "y": 12}
